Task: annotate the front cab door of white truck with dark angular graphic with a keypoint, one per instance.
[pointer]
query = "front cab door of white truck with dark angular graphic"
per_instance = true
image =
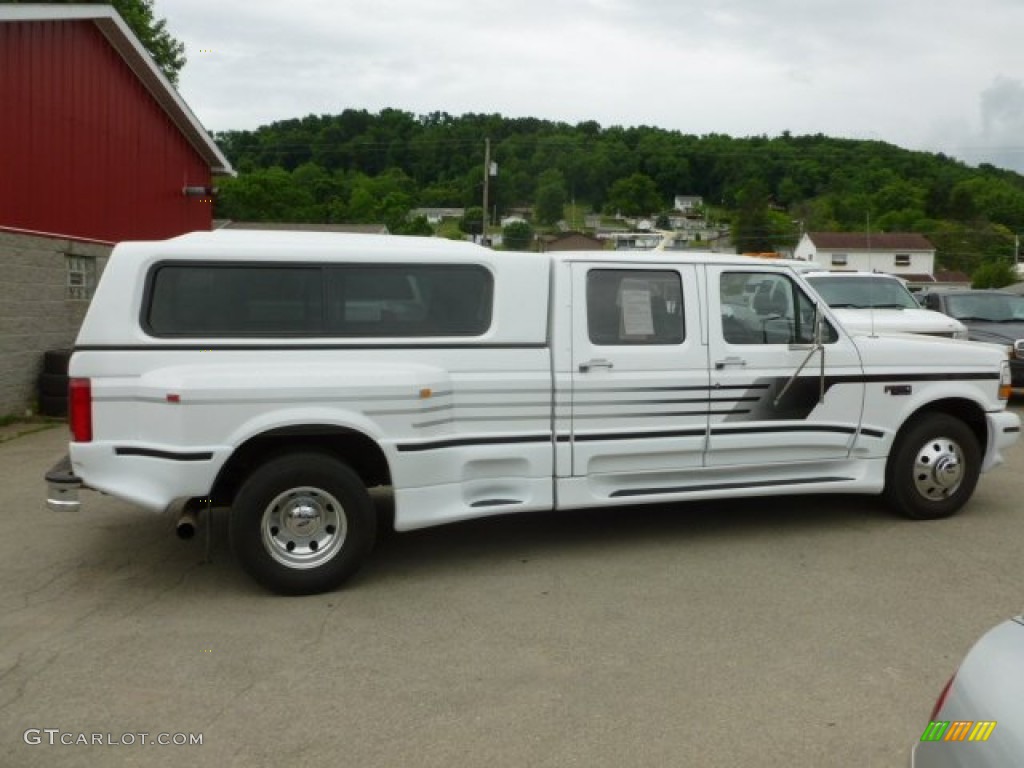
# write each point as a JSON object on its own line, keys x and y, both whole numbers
{"x": 763, "y": 414}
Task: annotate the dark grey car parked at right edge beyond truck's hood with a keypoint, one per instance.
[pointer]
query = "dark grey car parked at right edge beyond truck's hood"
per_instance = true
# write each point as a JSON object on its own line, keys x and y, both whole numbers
{"x": 996, "y": 317}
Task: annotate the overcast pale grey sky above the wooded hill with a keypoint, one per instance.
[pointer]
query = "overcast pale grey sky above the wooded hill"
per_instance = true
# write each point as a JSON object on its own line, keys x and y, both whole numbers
{"x": 937, "y": 75}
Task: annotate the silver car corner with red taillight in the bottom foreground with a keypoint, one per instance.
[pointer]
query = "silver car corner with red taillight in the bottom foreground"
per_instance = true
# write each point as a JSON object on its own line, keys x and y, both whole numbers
{"x": 978, "y": 720}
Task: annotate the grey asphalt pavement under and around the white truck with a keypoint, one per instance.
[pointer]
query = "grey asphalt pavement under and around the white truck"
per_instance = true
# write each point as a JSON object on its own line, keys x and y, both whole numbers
{"x": 775, "y": 632}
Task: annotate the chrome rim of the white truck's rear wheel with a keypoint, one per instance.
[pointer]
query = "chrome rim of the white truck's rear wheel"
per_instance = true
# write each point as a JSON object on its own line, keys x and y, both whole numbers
{"x": 304, "y": 528}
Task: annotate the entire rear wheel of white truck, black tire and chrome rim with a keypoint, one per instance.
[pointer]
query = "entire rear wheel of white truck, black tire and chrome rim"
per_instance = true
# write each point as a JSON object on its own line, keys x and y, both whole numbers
{"x": 303, "y": 524}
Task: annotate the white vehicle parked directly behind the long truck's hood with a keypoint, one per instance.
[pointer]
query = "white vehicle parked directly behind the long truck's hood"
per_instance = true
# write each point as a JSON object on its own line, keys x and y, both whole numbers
{"x": 876, "y": 303}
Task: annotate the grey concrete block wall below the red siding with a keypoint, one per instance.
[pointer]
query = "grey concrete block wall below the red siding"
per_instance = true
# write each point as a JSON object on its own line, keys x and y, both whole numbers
{"x": 35, "y": 313}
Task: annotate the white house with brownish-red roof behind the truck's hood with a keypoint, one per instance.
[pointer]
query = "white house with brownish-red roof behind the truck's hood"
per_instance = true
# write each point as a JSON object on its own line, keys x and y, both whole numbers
{"x": 907, "y": 254}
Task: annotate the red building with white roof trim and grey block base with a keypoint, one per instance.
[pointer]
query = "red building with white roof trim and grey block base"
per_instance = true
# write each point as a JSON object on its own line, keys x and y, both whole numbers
{"x": 97, "y": 147}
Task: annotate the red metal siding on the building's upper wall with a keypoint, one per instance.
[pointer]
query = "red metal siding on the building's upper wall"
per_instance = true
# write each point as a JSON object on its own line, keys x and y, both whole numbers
{"x": 84, "y": 149}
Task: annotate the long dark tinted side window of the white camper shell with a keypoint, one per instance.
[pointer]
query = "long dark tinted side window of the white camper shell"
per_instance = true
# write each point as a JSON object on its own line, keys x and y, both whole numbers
{"x": 232, "y": 301}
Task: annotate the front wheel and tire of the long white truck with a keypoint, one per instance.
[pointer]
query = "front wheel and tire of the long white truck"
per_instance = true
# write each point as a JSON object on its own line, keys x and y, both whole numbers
{"x": 933, "y": 468}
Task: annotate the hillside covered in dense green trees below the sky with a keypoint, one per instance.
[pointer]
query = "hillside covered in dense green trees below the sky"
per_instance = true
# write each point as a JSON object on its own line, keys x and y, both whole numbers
{"x": 361, "y": 167}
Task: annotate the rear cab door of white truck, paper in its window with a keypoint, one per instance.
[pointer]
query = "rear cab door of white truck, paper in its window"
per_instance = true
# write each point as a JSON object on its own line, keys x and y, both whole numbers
{"x": 639, "y": 374}
